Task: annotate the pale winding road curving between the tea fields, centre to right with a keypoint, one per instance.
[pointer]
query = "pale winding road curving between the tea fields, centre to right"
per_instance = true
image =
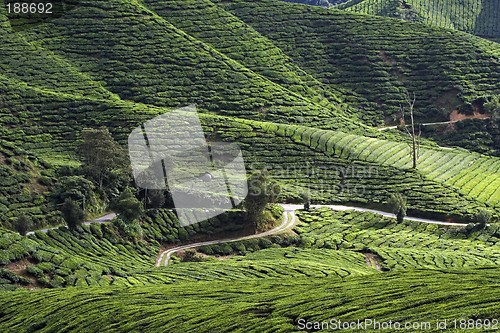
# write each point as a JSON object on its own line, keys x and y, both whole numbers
{"x": 288, "y": 223}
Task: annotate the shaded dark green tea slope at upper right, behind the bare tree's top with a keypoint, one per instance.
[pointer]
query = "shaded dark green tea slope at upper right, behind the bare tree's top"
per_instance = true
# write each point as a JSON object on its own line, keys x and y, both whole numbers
{"x": 378, "y": 58}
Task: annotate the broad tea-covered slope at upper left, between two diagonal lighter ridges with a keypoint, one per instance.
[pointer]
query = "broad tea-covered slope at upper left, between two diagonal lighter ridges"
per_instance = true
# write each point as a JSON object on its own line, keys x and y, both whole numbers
{"x": 168, "y": 67}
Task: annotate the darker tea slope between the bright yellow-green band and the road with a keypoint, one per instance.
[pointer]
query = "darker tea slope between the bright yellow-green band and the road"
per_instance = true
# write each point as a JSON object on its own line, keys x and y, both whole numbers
{"x": 328, "y": 177}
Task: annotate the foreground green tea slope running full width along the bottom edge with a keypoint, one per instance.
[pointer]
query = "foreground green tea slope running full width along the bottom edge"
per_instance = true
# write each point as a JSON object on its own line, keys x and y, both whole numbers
{"x": 256, "y": 306}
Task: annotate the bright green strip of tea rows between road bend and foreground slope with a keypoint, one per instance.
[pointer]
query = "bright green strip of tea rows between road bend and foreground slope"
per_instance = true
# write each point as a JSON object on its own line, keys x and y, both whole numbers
{"x": 271, "y": 263}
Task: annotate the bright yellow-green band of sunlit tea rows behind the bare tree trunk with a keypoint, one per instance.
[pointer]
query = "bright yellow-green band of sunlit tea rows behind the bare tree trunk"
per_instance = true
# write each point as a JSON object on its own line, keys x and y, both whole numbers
{"x": 475, "y": 176}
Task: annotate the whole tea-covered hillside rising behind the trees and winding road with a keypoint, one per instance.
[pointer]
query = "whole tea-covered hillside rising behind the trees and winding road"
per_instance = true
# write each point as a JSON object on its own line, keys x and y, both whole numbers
{"x": 84, "y": 82}
